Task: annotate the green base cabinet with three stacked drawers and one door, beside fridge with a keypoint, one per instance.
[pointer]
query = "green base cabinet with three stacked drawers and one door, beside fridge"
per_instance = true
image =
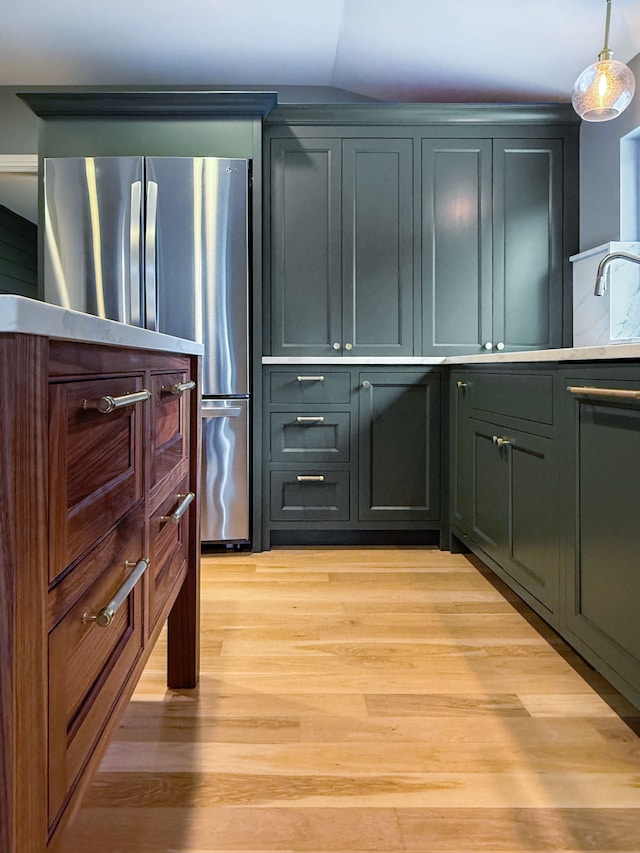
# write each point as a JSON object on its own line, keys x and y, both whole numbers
{"x": 354, "y": 450}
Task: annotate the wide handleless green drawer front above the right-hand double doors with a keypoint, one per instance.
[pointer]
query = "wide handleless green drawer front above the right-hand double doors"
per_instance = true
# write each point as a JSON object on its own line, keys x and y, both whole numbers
{"x": 525, "y": 396}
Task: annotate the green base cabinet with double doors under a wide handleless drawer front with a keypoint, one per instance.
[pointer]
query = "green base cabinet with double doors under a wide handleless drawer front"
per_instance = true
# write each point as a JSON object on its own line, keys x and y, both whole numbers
{"x": 505, "y": 478}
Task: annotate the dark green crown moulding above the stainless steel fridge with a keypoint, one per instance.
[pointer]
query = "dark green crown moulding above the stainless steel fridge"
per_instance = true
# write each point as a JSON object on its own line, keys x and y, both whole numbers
{"x": 149, "y": 104}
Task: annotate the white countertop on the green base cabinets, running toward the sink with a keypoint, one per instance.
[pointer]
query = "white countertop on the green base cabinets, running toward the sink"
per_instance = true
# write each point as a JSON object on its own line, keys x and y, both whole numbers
{"x": 596, "y": 353}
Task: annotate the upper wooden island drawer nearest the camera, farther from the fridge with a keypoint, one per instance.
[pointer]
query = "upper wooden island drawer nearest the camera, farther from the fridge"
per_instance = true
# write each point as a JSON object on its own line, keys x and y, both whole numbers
{"x": 96, "y": 463}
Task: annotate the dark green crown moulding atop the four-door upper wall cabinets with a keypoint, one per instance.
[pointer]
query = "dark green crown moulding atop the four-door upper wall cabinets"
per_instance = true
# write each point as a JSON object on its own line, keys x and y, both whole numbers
{"x": 415, "y": 114}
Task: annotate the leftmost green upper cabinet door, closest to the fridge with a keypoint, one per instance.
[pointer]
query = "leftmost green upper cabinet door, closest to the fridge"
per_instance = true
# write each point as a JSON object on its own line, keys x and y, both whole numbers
{"x": 305, "y": 246}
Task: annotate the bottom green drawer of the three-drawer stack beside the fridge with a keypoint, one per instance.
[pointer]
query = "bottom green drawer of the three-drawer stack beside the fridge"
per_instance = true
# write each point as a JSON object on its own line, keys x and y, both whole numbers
{"x": 310, "y": 495}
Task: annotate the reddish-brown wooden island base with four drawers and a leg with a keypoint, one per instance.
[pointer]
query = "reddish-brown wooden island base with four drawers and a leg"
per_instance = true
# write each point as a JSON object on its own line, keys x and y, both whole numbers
{"x": 99, "y": 547}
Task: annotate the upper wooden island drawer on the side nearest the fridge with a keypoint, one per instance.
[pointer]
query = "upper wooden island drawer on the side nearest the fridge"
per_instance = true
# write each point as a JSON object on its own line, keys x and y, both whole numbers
{"x": 169, "y": 427}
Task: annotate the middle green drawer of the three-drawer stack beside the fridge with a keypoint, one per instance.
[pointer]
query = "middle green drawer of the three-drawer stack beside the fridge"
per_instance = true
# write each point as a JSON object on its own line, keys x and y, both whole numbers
{"x": 312, "y": 436}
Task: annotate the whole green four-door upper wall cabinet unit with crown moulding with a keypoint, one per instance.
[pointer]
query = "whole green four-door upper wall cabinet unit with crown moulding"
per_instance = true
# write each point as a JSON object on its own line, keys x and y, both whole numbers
{"x": 419, "y": 229}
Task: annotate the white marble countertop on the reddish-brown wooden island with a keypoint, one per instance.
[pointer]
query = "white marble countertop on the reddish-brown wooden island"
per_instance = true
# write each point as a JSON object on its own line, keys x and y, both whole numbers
{"x": 21, "y": 315}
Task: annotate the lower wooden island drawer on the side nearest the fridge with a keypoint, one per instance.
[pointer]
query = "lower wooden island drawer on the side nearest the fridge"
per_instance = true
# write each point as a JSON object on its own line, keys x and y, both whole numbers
{"x": 168, "y": 550}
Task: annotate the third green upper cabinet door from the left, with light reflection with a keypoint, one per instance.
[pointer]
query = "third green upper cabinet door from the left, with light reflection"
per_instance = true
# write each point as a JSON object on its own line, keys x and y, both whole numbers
{"x": 456, "y": 243}
